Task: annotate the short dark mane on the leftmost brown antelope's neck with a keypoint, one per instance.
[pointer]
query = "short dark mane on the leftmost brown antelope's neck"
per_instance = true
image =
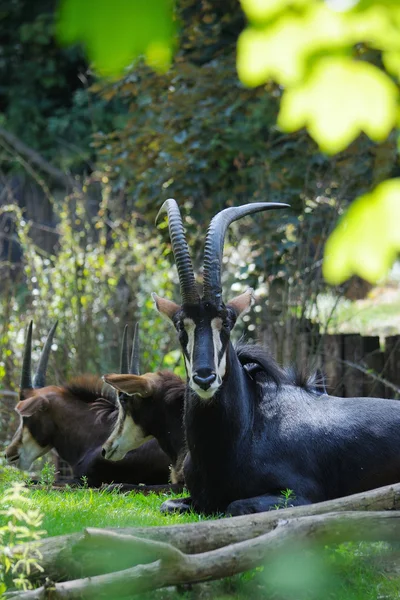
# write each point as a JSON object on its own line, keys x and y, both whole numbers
{"x": 91, "y": 389}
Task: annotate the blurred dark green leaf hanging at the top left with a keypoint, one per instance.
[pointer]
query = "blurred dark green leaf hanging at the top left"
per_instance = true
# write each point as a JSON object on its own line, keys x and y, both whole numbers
{"x": 116, "y": 33}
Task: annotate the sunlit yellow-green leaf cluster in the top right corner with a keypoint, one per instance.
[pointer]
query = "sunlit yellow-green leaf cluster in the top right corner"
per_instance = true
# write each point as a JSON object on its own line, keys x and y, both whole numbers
{"x": 315, "y": 50}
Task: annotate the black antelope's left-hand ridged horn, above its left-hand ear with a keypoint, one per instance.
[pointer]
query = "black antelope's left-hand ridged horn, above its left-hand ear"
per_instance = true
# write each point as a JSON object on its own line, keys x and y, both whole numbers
{"x": 181, "y": 252}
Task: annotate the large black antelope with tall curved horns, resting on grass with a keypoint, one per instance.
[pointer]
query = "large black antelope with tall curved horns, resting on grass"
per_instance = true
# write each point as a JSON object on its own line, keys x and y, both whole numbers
{"x": 252, "y": 431}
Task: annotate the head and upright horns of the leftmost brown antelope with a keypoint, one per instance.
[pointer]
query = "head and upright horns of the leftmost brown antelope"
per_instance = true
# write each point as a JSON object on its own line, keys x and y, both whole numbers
{"x": 34, "y": 435}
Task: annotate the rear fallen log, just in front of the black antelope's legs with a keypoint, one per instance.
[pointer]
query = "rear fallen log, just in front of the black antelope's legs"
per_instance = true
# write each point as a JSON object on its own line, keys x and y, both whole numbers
{"x": 64, "y": 557}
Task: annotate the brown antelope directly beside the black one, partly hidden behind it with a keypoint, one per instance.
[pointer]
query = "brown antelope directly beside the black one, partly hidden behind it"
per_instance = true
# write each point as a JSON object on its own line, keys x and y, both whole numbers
{"x": 150, "y": 405}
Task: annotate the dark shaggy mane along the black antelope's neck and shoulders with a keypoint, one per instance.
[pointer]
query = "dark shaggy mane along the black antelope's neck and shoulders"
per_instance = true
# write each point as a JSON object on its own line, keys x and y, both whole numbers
{"x": 256, "y": 360}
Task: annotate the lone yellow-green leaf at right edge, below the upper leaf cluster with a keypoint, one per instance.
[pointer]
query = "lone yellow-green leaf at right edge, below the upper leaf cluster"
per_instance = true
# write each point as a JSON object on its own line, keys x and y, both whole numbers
{"x": 367, "y": 238}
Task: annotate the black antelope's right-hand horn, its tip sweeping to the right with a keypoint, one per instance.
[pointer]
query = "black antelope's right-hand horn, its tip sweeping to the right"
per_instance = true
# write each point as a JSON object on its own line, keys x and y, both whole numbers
{"x": 214, "y": 245}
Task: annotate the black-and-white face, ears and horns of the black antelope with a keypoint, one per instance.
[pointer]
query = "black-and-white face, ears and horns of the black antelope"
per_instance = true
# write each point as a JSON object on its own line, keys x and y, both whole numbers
{"x": 204, "y": 324}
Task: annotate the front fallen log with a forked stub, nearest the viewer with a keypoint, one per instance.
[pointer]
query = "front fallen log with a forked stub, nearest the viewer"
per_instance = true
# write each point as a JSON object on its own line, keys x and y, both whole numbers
{"x": 170, "y": 566}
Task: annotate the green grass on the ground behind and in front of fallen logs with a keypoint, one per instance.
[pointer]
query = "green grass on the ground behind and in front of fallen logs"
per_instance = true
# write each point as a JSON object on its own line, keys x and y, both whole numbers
{"x": 345, "y": 572}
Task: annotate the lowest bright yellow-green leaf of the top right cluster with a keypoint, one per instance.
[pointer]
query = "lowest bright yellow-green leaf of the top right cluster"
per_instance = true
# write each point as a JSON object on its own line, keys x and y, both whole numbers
{"x": 340, "y": 99}
